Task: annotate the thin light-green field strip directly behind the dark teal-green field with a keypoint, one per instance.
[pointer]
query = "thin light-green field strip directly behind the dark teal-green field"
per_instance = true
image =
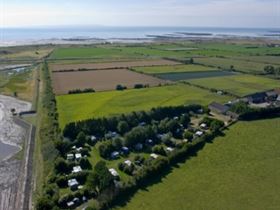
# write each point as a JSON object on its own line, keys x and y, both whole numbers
{"x": 173, "y": 69}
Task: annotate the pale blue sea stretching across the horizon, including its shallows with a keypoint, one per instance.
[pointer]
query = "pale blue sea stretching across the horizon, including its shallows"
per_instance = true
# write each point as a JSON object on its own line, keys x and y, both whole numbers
{"x": 93, "y": 34}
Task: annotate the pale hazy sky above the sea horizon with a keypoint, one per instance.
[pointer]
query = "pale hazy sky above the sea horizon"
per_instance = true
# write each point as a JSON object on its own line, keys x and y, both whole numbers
{"x": 201, "y": 13}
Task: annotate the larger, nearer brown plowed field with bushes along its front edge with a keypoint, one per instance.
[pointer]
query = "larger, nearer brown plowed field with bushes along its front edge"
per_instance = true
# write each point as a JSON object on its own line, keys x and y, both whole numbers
{"x": 100, "y": 80}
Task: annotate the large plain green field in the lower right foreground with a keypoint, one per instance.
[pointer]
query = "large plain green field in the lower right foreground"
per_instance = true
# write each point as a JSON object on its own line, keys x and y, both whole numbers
{"x": 238, "y": 171}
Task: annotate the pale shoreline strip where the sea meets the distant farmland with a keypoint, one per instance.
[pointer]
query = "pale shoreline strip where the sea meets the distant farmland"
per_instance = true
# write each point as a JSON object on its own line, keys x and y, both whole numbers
{"x": 148, "y": 38}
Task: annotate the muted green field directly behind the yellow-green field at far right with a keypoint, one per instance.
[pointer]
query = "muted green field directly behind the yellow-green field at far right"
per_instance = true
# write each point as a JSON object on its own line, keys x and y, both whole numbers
{"x": 225, "y": 63}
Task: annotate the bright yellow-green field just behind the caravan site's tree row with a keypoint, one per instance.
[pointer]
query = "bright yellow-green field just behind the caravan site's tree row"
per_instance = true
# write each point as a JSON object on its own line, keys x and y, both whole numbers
{"x": 83, "y": 106}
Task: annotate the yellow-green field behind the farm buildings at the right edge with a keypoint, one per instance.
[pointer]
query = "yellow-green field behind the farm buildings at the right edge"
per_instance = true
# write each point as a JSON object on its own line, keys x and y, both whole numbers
{"x": 240, "y": 84}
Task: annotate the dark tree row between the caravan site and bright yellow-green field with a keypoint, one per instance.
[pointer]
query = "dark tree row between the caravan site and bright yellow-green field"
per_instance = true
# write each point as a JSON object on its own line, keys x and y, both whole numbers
{"x": 122, "y": 123}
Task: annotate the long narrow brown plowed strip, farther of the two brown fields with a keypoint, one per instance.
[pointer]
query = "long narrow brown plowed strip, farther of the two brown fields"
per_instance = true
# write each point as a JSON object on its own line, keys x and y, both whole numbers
{"x": 111, "y": 65}
